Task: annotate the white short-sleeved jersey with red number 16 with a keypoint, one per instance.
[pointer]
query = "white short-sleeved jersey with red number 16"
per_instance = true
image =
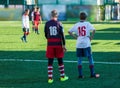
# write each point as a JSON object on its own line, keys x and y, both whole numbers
{"x": 82, "y": 30}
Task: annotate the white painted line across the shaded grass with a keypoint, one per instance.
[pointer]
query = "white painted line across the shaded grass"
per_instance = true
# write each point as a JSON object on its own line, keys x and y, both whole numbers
{"x": 66, "y": 61}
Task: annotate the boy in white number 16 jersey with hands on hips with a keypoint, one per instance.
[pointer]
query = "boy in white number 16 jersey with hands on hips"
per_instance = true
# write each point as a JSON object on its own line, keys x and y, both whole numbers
{"x": 82, "y": 30}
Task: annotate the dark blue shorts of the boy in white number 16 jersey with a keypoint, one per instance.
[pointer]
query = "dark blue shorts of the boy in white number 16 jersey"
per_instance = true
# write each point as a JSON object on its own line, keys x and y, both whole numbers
{"x": 83, "y": 52}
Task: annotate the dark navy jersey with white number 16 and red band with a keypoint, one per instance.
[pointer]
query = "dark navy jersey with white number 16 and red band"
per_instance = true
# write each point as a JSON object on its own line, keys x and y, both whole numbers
{"x": 54, "y": 33}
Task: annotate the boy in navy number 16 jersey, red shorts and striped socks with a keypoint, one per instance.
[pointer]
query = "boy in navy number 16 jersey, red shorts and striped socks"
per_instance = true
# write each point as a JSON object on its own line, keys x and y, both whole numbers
{"x": 55, "y": 46}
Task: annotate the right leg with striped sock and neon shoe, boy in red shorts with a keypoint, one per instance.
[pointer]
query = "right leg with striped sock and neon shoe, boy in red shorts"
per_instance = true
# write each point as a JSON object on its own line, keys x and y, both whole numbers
{"x": 61, "y": 69}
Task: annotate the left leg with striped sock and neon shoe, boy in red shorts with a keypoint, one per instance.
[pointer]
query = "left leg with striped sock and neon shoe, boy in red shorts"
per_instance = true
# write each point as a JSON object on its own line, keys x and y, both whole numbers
{"x": 50, "y": 70}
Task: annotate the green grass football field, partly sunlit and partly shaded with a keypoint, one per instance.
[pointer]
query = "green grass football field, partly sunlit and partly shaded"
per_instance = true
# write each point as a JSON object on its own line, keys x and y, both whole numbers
{"x": 18, "y": 68}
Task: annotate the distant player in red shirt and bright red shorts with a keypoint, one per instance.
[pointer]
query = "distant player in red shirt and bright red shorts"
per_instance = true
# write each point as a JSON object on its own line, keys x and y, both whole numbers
{"x": 37, "y": 19}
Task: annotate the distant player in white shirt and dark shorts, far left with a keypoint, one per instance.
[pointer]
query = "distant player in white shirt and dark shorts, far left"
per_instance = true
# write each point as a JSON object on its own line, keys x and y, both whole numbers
{"x": 25, "y": 25}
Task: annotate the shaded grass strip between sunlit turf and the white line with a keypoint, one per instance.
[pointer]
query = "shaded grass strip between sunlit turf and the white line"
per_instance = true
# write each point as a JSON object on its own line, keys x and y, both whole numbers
{"x": 69, "y": 55}
